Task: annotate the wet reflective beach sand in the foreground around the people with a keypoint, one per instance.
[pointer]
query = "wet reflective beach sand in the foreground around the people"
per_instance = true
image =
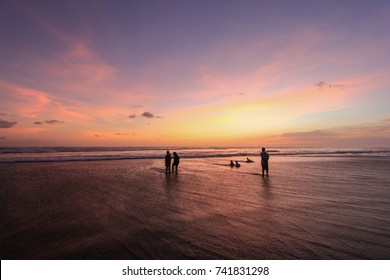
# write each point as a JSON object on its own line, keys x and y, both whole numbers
{"x": 308, "y": 208}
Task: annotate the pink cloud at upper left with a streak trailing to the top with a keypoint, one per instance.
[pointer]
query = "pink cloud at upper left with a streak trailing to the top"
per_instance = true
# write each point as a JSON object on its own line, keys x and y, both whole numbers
{"x": 79, "y": 69}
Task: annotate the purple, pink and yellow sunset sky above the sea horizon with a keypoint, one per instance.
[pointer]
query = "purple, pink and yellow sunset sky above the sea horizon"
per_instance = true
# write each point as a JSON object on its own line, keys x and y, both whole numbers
{"x": 258, "y": 73}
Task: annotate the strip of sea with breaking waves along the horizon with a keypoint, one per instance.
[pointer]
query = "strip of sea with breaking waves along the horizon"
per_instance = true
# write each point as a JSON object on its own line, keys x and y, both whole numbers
{"x": 59, "y": 154}
